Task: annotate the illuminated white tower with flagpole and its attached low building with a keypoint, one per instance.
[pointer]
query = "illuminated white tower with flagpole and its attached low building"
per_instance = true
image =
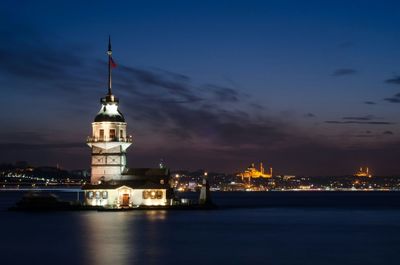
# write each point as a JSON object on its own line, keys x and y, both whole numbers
{"x": 113, "y": 184}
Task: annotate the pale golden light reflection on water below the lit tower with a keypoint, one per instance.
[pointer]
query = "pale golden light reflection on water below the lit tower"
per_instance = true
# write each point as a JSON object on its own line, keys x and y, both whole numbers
{"x": 113, "y": 237}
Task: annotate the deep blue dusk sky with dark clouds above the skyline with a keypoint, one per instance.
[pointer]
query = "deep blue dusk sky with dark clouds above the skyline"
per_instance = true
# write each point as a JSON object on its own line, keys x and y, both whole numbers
{"x": 309, "y": 87}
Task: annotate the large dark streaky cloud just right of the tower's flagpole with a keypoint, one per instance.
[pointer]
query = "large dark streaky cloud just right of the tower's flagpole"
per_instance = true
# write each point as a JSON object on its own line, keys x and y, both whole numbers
{"x": 184, "y": 111}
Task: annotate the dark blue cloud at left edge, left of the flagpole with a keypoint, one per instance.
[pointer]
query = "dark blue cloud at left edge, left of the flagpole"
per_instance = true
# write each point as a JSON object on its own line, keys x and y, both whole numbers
{"x": 38, "y": 65}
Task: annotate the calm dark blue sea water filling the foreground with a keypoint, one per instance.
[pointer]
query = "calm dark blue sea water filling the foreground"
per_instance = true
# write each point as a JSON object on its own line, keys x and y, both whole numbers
{"x": 236, "y": 236}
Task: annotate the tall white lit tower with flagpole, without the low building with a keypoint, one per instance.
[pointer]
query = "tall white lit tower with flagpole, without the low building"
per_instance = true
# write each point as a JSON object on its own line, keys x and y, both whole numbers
{"x": 109, "y": 139}
